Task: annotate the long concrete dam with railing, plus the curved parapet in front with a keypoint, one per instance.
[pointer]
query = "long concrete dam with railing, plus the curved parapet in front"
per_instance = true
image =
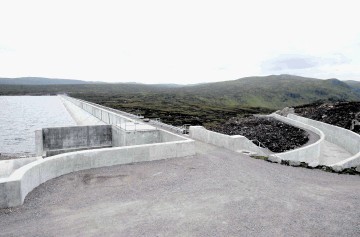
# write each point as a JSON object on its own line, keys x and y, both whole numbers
{"x": 122, "y": 141}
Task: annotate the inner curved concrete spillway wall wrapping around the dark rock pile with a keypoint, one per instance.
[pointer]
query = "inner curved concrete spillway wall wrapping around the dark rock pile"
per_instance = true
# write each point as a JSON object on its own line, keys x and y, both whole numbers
{"x": 308, "y": 154}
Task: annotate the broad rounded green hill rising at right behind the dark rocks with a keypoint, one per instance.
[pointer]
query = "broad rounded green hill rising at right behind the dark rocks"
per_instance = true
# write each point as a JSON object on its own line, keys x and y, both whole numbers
{"x": 275, "y": 91}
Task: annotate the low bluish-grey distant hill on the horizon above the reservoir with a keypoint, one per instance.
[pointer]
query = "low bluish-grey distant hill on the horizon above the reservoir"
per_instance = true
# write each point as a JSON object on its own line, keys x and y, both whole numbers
{"x": 40, "y": 81}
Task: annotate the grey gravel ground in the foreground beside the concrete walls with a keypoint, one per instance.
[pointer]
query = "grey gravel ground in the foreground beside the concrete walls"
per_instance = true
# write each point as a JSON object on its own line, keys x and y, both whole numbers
{"x": 215, "y": 193}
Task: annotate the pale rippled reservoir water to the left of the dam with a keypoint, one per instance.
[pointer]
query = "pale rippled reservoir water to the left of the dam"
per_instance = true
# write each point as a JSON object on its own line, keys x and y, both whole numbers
{"x": 20, "y": 116}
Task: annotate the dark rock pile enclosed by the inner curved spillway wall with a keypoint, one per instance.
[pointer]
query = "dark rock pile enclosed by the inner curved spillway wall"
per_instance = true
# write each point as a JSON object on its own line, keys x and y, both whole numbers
{"x": 273, "y": 134}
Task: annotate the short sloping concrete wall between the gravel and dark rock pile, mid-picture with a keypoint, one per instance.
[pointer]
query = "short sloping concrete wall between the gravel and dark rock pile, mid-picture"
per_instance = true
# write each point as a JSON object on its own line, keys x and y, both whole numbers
{"x": 234, "y": 143}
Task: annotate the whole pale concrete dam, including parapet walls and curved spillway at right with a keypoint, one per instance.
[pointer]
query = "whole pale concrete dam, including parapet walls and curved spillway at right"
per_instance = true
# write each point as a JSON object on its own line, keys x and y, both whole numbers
{"x": 108, "y": 137}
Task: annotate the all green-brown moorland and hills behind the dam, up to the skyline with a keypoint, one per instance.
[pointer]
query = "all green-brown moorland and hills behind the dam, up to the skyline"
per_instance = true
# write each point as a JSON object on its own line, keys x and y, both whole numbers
{"x": 203, "y": 104}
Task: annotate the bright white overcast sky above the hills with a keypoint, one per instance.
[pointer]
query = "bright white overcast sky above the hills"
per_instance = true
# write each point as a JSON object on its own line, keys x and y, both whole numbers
{"x": 183, "y": 42}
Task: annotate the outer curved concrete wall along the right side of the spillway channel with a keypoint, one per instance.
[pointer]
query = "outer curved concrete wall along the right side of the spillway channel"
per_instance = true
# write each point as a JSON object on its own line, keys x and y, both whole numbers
{"x": 344, "y": 138}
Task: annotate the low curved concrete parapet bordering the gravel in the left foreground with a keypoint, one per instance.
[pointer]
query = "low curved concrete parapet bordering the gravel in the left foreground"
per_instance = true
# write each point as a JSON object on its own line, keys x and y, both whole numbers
{"x": 14, "y": 189}
